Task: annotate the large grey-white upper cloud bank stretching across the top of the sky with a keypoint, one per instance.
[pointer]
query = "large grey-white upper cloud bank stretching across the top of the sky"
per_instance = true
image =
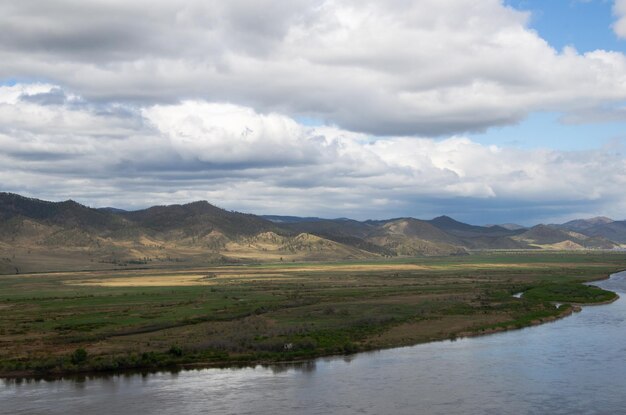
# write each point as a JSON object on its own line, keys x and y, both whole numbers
{"x": 424, "y": 67}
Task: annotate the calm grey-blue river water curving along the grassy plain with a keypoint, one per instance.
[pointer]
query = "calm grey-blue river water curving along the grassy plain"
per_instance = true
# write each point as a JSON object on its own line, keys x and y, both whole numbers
{"x": 576, "y": 365}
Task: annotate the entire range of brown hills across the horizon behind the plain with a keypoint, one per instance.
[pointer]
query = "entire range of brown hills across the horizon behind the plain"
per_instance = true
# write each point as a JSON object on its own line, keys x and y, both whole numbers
{"x": 37, "y": 235}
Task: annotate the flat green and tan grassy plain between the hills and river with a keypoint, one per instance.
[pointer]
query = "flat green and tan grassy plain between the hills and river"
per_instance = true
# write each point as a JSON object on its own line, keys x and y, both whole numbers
{"x": 111, "y": 320}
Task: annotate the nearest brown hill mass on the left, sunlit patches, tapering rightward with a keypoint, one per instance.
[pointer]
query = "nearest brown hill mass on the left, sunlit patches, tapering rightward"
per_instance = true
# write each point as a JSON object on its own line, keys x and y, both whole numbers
{"x": 36, "y": 235}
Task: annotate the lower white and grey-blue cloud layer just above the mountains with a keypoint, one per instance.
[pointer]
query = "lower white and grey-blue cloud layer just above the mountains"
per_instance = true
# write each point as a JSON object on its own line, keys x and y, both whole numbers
{"x": 269, "y": 163}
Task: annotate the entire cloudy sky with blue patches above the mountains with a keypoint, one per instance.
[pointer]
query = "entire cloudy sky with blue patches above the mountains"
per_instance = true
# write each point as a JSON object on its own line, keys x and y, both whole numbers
{"x": 490, "y": 111}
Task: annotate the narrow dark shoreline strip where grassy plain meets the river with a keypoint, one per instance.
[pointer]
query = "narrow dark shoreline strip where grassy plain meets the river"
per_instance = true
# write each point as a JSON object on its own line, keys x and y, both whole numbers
{"x": 30, "y": 375}
